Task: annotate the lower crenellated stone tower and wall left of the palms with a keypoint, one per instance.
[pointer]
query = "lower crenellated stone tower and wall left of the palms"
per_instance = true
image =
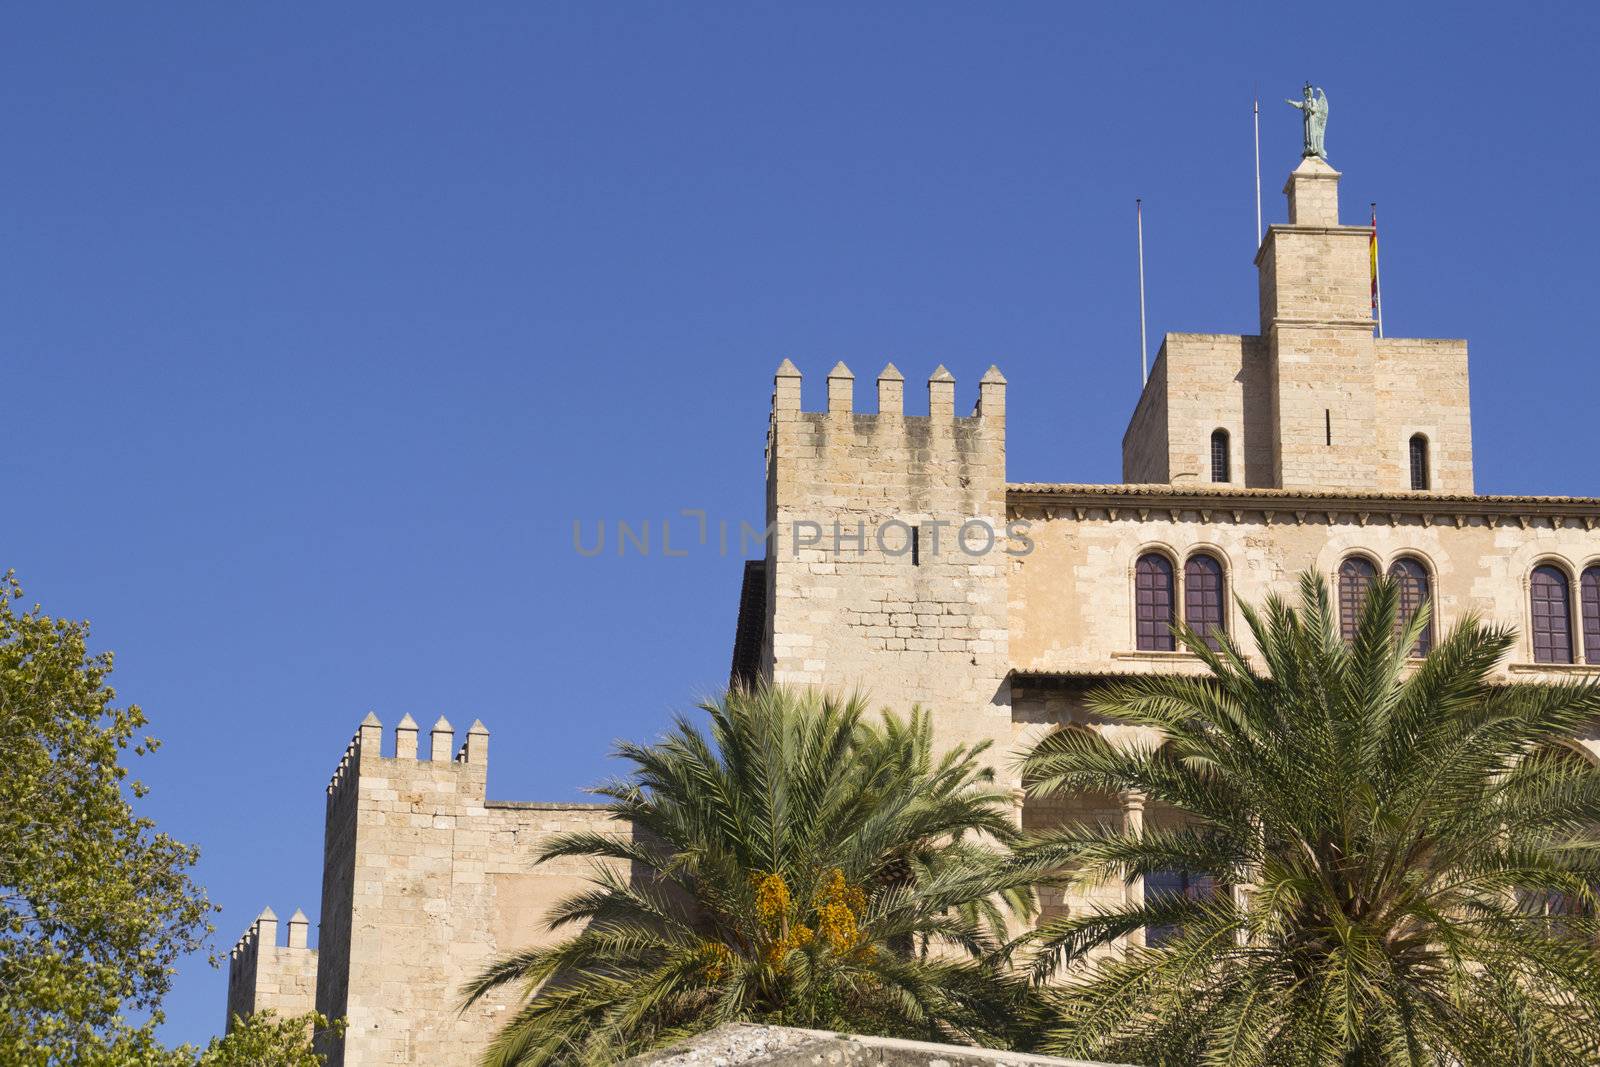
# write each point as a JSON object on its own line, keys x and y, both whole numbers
{"x": 425, "y": 884}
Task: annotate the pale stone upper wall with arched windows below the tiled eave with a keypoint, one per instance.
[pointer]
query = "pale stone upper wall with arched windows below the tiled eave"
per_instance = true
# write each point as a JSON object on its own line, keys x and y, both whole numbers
{"x": 1073, "y": 597}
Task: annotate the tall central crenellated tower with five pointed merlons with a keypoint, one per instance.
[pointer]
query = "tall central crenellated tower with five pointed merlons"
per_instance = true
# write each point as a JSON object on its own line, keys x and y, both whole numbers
{"x": 887, "y": 559}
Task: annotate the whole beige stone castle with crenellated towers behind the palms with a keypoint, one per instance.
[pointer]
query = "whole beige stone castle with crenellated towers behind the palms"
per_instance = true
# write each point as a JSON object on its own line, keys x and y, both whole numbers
{"x": 903, "y": 562}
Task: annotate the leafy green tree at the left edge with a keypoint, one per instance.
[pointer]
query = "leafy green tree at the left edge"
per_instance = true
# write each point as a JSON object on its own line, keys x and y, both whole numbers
{"x": 95, "y": 905}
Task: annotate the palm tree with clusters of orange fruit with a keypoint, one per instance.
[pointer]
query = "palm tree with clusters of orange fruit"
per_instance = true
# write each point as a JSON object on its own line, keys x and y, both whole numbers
{"x": 799, "y": 865}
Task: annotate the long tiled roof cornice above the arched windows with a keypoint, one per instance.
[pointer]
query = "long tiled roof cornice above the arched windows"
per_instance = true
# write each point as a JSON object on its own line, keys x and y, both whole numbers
{"x": 1295, "y": 506}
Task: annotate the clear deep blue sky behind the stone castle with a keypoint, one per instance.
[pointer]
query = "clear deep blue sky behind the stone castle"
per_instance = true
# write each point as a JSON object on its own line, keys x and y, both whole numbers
{"x": 324, "y": 322}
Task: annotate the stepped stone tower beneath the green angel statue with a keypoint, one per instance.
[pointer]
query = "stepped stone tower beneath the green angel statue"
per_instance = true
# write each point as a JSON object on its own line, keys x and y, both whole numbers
{"x": 1314, "y": 401}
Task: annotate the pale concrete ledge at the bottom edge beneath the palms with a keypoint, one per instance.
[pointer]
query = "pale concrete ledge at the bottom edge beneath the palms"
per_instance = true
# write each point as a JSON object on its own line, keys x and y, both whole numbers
{"x": 746, "y": 1044}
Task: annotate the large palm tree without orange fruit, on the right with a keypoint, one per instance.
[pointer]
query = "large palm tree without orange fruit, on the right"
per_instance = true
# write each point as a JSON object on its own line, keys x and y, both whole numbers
{"x": 1404, "y": 857}
